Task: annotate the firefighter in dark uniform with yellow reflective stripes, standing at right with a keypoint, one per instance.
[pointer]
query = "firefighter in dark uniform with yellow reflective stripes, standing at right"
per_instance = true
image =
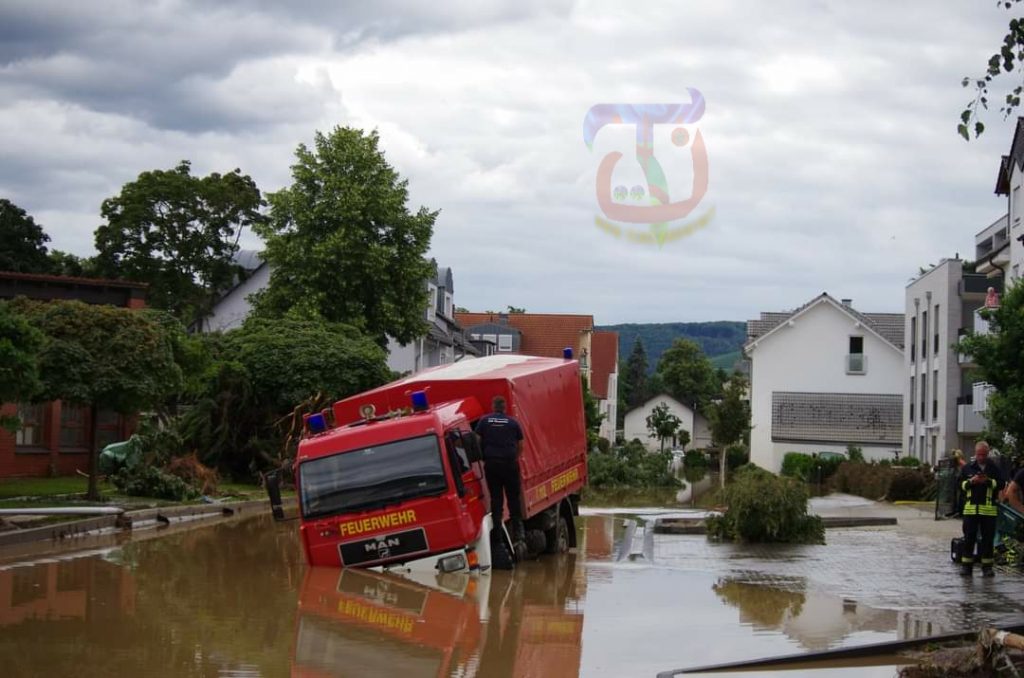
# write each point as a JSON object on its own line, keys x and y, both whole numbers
{"x": 982, "y": 482}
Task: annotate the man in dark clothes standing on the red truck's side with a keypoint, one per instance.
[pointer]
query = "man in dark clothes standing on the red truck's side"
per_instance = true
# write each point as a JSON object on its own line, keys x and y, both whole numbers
{"x": 501, "y": 442}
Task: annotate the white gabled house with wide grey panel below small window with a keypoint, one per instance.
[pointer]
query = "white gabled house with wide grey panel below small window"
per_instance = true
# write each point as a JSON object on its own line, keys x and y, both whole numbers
{"x": 823, "y": 377}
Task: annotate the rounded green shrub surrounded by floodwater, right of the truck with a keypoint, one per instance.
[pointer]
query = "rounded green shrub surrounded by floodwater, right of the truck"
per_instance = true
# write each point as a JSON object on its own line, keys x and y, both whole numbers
{"x": 763, "y": 507}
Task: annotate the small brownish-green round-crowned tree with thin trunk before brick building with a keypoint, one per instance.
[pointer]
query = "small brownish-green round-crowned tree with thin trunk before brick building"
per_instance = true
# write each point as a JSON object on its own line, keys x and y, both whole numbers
{"x": 102, "y": 357}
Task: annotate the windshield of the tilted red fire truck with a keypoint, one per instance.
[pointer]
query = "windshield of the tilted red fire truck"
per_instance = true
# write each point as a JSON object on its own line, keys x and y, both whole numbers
{"x": 372, "y": 478}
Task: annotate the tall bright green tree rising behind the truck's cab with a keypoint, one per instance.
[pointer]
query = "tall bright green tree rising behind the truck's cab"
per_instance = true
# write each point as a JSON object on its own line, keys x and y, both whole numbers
{"x": 343, "y": 243}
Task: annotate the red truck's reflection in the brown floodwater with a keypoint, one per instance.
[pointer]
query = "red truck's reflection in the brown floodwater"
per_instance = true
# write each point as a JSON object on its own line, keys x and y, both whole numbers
{"x": 363, "y": 623}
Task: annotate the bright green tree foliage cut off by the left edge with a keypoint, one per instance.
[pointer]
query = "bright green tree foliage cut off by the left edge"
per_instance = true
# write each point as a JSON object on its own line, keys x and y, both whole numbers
{"x": 20, "y": 346}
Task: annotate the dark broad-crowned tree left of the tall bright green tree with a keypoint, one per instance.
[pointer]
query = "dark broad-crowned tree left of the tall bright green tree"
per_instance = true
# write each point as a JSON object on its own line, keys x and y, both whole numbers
{"x": 179, "y": 233}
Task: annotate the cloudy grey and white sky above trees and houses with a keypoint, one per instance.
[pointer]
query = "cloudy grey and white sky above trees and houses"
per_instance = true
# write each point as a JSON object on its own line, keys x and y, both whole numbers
{"x": 830, "y": 130}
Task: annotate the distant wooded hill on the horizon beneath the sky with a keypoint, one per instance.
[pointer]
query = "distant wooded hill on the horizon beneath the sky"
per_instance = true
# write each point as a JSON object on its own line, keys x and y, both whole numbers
{"x": 720, "y": 341}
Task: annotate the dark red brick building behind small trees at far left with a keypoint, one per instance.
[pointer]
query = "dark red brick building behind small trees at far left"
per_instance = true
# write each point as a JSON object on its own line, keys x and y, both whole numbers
{"x": 55, "y": 438}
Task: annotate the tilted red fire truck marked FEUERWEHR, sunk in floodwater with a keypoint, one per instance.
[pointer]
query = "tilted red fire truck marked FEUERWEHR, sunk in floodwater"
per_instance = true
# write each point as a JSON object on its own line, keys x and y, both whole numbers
{"x": 394, "y": 476}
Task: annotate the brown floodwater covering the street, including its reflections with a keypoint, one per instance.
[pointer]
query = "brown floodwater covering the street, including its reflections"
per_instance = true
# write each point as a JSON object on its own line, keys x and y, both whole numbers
{"x": 236, "y": 600}
